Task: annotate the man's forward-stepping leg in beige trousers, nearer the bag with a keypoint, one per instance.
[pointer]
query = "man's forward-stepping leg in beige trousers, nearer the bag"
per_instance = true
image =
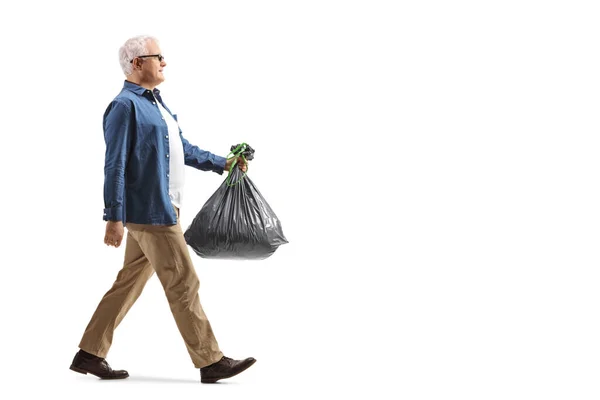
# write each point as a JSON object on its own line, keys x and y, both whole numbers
{"x": 167, "y": 251}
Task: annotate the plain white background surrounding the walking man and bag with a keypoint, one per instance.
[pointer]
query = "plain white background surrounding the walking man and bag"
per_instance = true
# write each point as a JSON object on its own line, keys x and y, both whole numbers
{"x": 434, "y": 165}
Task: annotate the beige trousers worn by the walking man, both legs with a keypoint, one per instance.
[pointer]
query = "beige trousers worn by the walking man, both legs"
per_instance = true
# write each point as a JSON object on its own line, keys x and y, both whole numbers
{"x": 161, "y": 249}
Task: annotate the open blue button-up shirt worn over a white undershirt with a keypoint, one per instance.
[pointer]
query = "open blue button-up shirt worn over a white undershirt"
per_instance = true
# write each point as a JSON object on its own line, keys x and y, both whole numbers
{"x": 136, "y": 168}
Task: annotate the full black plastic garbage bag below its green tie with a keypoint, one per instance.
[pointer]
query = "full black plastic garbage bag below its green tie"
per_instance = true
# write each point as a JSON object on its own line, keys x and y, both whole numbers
{"x": 235, "y": 223}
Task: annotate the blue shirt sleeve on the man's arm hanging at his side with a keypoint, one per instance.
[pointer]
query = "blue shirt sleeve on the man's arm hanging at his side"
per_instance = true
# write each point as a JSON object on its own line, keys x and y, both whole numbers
{"x": 117, "y": 136}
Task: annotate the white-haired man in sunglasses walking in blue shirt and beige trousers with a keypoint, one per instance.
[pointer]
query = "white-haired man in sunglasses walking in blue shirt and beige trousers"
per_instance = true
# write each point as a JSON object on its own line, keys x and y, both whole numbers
{"x": 144, "y": 176}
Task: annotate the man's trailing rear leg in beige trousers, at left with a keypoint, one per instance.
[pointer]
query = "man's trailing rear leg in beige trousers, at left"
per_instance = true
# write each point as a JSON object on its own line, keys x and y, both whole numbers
{"x": 118, "y": 300}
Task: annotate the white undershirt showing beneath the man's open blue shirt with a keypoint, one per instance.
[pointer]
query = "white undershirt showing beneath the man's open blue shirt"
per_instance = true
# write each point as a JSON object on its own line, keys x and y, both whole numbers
{"x": 176, "y": 159}
